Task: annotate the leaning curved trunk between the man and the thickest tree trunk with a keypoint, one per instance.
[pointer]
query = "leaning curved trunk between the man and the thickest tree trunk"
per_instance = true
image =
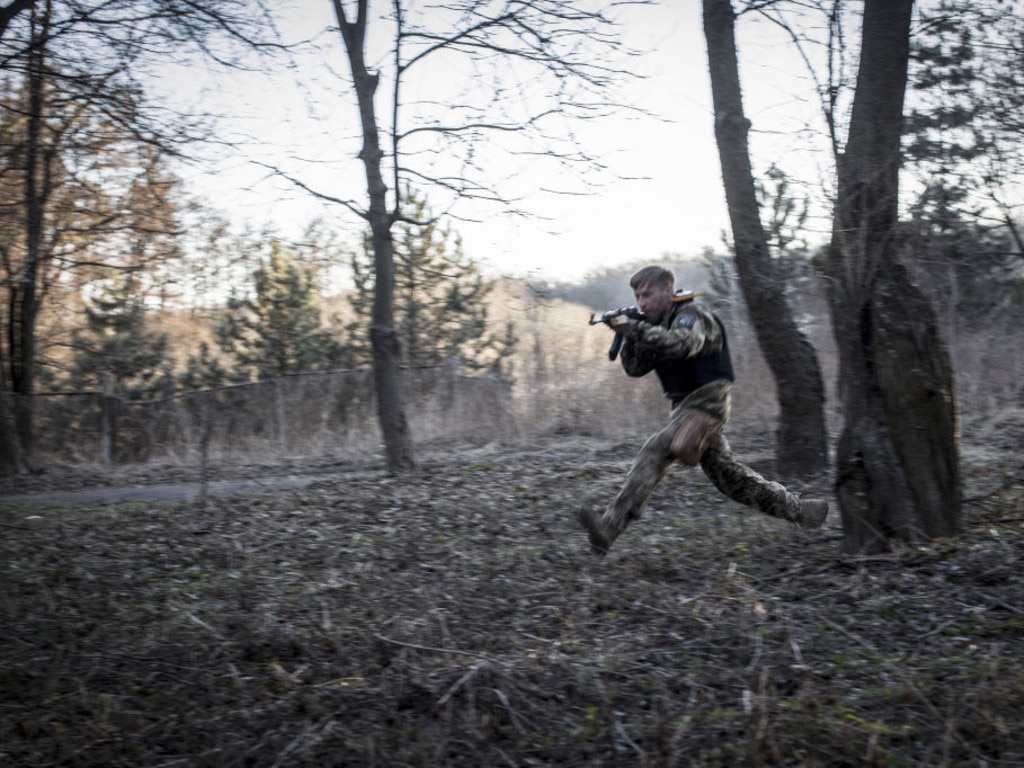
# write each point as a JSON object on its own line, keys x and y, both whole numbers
{"x": 802, "y": 440}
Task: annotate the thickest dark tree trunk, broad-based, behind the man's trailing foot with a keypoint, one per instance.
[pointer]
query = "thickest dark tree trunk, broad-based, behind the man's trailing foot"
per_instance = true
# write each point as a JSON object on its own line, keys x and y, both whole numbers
{"x": 899, "y": 471}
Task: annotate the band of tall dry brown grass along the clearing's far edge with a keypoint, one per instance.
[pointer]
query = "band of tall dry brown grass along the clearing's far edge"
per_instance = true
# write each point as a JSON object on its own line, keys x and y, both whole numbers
{"x": 562, "y": 383}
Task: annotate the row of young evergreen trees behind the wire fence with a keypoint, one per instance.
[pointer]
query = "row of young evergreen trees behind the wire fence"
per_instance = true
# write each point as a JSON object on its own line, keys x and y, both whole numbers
{"x": 273, "y": 323}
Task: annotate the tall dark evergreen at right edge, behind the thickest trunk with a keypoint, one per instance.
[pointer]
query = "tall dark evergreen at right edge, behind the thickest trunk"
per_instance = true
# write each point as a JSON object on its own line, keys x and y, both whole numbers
{"x": 963, "y": 150}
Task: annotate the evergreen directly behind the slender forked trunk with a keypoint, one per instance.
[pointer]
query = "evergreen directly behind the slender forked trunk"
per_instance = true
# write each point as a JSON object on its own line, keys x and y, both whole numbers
{"x": 440, "y": 298}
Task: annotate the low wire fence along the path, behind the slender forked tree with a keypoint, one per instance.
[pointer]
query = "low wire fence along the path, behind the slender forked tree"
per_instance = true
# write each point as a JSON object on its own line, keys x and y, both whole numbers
{"x": 306, "y": 414}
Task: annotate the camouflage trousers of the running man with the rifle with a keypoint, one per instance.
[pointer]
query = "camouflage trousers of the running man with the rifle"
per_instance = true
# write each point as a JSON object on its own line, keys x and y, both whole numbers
{"x": 737, "y": 481}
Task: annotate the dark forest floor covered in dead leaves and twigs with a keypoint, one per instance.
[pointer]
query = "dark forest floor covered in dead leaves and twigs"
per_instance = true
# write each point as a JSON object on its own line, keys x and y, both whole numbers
{"x": 454, "y": 617}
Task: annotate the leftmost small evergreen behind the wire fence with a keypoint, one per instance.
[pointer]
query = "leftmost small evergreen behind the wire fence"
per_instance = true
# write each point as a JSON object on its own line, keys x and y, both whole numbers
{"x": 119, "y": 344}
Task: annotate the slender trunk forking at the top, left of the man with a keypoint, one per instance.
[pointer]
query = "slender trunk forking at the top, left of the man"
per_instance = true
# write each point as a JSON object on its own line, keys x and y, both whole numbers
{"x": 383, "y": 336}
